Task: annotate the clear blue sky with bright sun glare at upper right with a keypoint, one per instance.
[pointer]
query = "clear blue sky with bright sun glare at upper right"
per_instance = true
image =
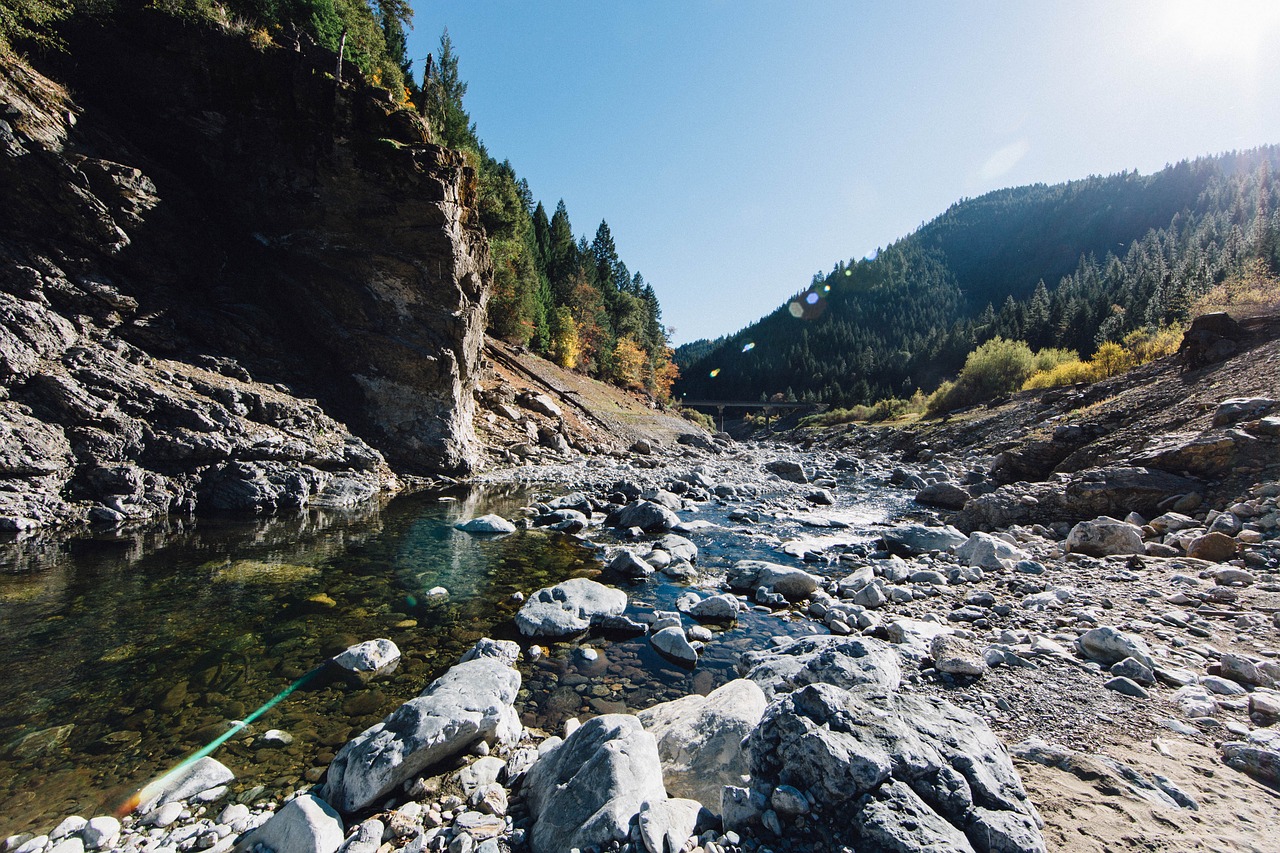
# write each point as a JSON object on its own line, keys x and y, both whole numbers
{"x": 737, "y": 147}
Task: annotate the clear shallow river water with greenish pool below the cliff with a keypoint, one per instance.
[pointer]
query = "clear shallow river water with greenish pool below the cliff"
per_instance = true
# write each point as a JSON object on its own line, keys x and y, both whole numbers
{"x": 125, "y": 655}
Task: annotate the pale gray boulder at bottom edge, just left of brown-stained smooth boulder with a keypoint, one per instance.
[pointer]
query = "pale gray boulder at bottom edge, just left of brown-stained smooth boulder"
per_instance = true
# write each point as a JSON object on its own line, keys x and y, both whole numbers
{"x": 587, "y": 791}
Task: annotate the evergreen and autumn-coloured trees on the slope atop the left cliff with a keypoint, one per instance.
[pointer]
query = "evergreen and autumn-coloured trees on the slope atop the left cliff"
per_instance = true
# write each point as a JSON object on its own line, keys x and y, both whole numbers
{"x": 570, "y": 300}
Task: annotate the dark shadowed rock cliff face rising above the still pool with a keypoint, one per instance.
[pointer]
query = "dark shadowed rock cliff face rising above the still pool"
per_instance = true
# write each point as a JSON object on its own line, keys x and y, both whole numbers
{"x": 211, "y": 256}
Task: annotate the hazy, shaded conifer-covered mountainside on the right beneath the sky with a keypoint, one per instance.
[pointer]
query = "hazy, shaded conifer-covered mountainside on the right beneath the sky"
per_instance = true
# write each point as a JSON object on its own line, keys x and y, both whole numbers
{"x": 1069, "y": 266}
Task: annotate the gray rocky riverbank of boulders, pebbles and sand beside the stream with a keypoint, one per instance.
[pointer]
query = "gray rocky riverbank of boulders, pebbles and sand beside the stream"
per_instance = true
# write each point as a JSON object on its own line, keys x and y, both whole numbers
{"x": 1075, "y": 685}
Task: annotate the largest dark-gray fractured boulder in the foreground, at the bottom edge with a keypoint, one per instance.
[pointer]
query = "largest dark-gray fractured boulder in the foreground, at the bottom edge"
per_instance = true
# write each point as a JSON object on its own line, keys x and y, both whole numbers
{"x": 892, "y": 772}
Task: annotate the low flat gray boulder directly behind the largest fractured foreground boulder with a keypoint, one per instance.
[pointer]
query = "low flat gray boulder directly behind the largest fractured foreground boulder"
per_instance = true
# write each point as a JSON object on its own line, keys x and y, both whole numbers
{"x": 840, "y": 662}
